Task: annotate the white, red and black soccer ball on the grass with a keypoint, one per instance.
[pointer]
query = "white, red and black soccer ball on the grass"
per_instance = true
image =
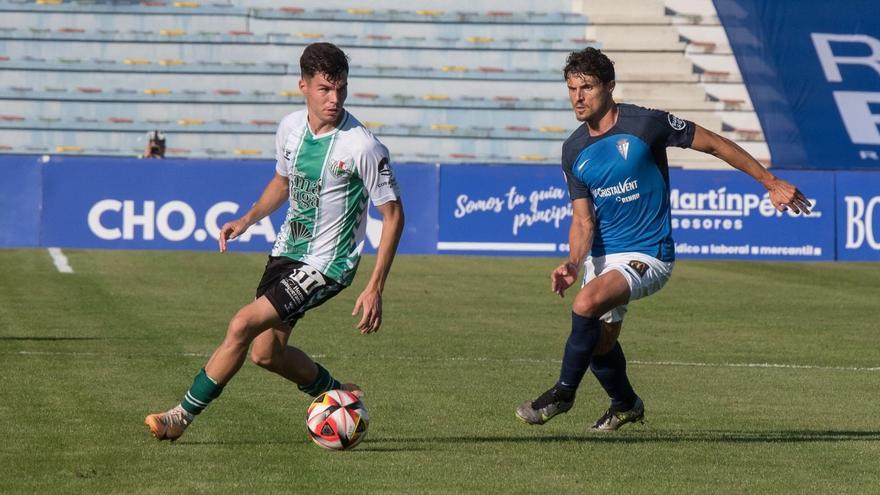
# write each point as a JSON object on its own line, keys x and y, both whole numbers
{"x": 337, "y": 420}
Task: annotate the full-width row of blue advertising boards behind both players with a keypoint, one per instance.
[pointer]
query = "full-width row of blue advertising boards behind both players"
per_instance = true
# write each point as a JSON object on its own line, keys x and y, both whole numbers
{"x": 462, "y": 209}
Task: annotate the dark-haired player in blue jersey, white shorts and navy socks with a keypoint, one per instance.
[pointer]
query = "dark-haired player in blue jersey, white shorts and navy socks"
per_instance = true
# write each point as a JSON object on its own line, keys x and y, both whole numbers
{"x": 618, "y": 179}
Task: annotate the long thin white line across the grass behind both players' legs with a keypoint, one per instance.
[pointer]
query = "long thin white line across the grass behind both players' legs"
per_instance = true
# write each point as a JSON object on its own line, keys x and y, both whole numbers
{"x": 511, "y": 360}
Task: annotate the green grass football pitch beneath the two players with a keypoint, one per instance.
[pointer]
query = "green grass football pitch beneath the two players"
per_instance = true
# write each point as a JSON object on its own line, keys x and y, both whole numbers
{"x": 756, "y": 377}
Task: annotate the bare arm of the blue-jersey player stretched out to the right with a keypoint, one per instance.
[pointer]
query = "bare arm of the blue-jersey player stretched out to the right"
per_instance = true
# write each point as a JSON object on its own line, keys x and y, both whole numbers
{"x": 782, "y": 193}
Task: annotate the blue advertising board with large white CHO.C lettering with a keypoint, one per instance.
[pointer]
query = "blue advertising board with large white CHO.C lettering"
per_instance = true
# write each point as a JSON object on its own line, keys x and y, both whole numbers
{"x": 181, "y": 204}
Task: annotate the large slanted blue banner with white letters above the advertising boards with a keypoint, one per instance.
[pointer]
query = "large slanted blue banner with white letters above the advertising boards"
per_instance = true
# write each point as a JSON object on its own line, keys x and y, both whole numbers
{"x": 814, "y": 79}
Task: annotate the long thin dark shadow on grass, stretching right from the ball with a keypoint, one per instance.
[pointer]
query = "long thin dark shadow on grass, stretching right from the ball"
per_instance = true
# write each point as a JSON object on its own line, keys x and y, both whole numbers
{"x": 650, "y": 436}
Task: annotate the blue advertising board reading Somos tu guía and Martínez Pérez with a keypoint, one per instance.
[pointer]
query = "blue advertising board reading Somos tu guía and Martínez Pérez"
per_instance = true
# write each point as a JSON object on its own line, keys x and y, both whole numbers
{"x": 715, "y": 214}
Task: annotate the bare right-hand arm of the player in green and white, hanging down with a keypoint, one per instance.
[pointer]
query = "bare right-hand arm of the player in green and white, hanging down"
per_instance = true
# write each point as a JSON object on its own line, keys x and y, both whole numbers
{"x": 370, "y": 299}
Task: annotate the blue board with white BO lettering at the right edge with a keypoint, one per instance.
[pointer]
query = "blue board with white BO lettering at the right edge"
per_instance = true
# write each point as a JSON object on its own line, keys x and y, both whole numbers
{"x": 858, "y": 216}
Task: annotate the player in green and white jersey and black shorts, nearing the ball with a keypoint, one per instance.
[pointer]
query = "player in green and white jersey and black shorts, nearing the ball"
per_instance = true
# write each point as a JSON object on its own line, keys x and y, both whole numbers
{"x": 327, "y": 167}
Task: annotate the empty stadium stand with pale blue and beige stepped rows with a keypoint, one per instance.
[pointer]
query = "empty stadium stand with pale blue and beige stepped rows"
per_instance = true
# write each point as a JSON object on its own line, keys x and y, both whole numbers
{"x": 452, "y": 80}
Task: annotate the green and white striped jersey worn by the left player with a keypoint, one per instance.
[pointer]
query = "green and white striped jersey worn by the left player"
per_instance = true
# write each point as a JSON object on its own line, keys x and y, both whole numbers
{"x": 331, "y": 176}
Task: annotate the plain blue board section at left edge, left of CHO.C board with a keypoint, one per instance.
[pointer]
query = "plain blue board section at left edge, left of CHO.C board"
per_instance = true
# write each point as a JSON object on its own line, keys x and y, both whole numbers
{"x": 20, "y": 198}
